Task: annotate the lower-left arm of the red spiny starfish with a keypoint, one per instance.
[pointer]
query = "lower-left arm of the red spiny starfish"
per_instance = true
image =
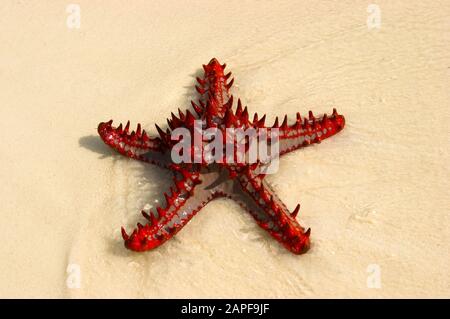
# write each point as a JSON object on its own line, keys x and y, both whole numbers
{"x": 181, "y": 206}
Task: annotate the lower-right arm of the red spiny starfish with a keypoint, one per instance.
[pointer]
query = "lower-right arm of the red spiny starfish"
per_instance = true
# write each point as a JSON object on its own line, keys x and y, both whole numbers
{"x": 270, "y": 212}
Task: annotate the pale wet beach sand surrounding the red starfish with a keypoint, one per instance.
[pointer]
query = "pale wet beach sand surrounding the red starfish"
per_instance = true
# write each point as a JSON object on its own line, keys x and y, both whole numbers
{"x": 376, "y": 195}
